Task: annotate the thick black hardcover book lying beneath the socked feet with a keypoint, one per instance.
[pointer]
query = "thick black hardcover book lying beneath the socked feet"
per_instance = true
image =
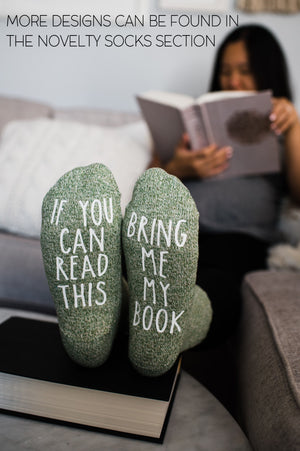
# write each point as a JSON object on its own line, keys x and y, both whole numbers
{"x": 38, "y": 378}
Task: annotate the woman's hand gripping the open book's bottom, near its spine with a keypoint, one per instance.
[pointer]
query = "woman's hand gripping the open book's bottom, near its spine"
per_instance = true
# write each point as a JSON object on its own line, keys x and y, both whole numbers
{"x": 202, "y": 163}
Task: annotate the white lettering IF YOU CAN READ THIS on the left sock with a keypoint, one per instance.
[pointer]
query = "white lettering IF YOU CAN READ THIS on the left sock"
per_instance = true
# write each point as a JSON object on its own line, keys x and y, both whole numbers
{"x": 75, "y": 261}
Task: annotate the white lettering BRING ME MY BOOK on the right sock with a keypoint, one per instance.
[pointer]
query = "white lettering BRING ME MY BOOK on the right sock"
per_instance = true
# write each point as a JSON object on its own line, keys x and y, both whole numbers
{"x": 162, "y": 235}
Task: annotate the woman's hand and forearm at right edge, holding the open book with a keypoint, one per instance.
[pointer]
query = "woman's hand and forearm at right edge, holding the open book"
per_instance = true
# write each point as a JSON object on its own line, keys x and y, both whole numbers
{"x": 285, "y": 121}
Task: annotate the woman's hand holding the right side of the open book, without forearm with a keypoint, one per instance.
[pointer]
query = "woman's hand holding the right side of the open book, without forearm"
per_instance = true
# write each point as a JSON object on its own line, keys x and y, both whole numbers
{"x": 284, "y": 116}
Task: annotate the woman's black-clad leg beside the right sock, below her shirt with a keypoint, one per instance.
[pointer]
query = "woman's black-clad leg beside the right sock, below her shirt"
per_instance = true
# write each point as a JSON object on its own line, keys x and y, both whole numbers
{"x": 224, "y": 259}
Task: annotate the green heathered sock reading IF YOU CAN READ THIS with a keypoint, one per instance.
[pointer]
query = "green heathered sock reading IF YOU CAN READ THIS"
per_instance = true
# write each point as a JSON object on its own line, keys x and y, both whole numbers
{"x": 81, "y": 246}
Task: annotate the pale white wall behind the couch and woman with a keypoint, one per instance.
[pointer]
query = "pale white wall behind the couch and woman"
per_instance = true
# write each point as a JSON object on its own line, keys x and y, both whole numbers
{"x": 109, "y": 77}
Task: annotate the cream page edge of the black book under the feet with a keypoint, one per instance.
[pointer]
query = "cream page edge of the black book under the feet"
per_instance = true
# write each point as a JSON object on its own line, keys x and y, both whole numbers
{"x": 48, "y": 402}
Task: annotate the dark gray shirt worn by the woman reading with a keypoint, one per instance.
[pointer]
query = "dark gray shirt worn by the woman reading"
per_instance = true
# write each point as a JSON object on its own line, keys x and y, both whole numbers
{"x": 244, "y": 205}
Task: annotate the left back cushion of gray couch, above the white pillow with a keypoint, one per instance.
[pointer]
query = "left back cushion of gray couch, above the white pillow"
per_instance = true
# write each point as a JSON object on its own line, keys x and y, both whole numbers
{"x": 11, "y": 109}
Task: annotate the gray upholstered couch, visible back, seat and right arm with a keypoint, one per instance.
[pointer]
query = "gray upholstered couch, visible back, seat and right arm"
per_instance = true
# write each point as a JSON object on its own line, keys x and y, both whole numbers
{"x": 267, "y": 351}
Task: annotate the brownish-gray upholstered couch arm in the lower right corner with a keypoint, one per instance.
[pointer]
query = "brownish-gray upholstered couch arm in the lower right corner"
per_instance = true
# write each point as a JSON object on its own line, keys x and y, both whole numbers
{"x": 269, "y": 360}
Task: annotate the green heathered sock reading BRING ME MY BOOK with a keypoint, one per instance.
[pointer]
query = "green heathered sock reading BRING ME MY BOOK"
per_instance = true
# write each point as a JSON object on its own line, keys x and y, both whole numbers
{"x": 167, "y": 312}
